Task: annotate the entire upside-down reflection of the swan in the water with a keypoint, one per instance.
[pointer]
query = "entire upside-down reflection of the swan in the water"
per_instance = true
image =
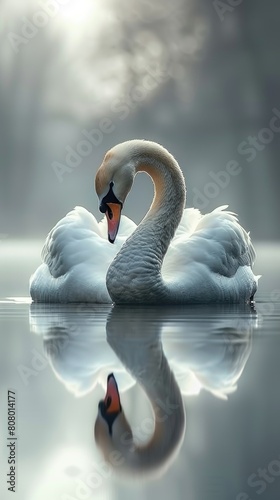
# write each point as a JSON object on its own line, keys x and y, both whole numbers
{"x": 204, "y": 347}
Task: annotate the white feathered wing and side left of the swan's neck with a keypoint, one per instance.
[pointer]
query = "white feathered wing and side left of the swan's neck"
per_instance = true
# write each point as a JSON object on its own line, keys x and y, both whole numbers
{"x": 76, "y": 257}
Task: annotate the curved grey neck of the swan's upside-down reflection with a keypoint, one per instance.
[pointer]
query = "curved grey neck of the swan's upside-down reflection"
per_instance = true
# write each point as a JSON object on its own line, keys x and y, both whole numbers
{"x": 143, "y": 357}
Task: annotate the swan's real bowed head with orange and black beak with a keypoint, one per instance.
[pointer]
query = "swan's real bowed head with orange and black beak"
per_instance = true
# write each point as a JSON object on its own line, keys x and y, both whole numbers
{"x": 113, "y": 182}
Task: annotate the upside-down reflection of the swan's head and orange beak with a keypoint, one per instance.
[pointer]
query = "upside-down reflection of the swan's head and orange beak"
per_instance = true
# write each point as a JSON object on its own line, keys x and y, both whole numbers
{"x": 112, "y": 431}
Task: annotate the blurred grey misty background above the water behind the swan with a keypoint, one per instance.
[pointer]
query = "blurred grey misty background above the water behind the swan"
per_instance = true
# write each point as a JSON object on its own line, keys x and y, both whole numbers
{"x": 200, "y": 77}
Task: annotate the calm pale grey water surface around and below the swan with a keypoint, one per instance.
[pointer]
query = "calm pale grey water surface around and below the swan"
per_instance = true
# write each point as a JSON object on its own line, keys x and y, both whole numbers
{"x": 212, "y": 374}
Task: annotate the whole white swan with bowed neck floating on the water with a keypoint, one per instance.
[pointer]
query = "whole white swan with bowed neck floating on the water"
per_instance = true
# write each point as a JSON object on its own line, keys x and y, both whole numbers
{"x": 207, "y": 259}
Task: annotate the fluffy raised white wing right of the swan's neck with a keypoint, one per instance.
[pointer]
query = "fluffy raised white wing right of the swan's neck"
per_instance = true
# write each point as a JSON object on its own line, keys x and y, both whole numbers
{"x": 215, "y": 240}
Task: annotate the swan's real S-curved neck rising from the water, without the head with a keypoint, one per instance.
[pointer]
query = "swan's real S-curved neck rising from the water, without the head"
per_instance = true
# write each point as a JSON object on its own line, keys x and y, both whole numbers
{"x": 135, "y": 274}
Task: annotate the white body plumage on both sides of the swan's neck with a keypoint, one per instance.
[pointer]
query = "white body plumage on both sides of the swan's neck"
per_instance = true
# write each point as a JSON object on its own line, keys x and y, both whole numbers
{"x": 77, "y": 254}
